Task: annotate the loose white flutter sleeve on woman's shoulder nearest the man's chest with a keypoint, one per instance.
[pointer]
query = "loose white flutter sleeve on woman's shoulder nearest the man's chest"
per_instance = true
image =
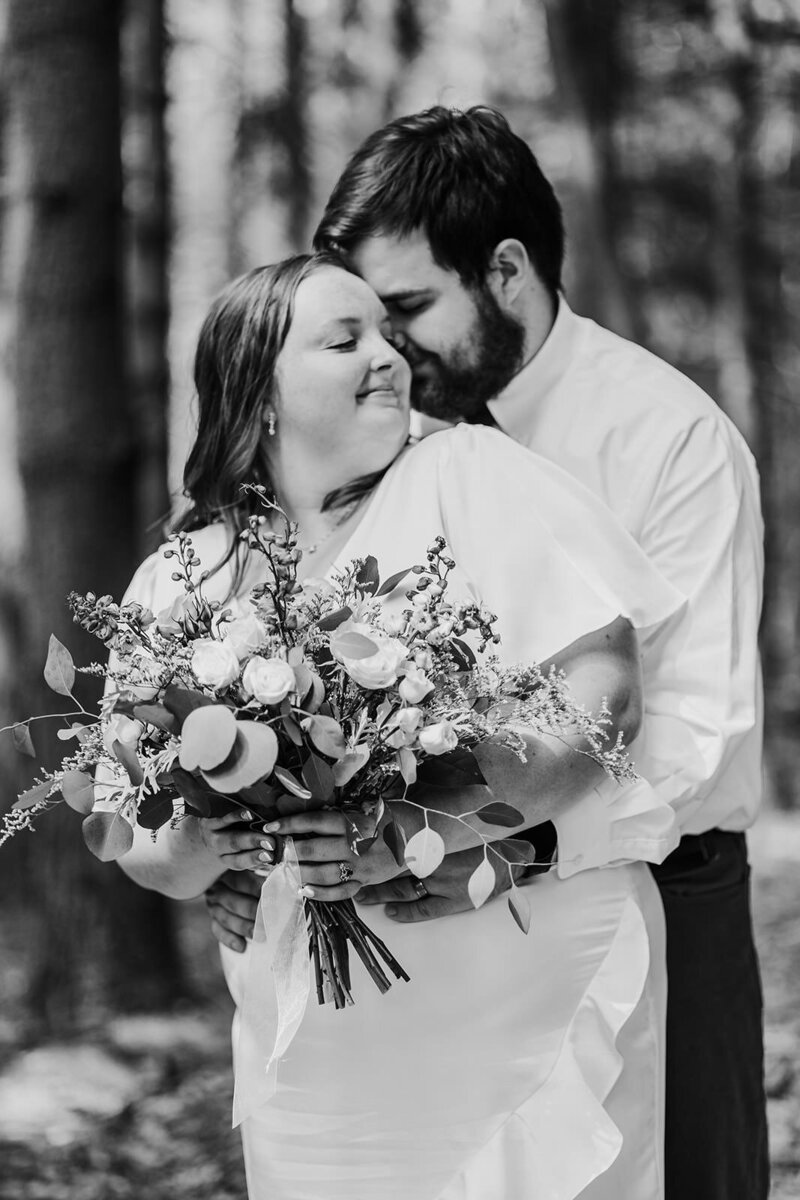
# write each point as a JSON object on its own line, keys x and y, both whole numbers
{"x": 539, "y": 549}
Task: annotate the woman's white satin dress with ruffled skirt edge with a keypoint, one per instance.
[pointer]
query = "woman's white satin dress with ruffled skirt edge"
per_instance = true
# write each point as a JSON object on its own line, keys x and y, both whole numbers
{"x": 512, "y": 1067}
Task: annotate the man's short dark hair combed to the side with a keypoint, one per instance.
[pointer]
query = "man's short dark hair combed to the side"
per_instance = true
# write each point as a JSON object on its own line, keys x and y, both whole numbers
{"x": 464, "y": 179}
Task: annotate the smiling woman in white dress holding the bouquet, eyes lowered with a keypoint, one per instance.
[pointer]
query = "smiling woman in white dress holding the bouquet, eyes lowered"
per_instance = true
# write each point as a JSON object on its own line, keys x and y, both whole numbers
{"x": 512, "y": 1067}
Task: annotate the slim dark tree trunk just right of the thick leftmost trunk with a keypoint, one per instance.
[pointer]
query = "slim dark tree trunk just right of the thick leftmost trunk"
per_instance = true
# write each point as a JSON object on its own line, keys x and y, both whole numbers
{"x": 147, "y": 191}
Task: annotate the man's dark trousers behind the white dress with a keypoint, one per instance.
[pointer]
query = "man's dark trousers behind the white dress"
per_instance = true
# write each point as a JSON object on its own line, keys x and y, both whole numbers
{"x": 717, "y": 1111}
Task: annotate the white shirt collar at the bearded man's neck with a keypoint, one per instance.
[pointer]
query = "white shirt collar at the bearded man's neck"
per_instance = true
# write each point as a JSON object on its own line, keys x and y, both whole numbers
{"x": 514, "y": 409}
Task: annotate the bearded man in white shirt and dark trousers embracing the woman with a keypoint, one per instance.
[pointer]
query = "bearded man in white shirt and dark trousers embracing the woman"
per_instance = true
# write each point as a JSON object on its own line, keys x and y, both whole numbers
{"x": 453, "y": 223}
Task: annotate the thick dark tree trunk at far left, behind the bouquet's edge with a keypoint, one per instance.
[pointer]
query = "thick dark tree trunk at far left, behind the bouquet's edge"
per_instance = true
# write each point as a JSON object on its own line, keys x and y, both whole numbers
{"x": 98, "y": 937}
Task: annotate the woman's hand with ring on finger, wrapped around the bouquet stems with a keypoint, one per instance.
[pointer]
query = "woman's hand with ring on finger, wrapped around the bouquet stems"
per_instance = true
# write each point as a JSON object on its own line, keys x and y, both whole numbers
{"x": 329, "y": 869}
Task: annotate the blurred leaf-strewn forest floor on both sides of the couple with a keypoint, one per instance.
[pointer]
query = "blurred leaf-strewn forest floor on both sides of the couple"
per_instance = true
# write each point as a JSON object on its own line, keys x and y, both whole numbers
{"x": 143, "y": 1109}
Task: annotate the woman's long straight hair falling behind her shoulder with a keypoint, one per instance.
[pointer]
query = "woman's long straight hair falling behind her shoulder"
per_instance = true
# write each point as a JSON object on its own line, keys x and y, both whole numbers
{"x": 234, "y": 376}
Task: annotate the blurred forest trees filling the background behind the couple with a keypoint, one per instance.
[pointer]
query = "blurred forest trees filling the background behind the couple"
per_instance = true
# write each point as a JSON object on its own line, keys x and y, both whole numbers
{"x": 153, "y": 149}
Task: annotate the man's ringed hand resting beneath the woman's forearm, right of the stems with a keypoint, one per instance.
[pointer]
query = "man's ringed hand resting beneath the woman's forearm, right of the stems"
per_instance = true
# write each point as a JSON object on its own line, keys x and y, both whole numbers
{"x": 447, "y": 889}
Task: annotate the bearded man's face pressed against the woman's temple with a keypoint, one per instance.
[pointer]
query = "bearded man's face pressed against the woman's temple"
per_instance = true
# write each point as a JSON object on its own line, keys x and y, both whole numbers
{"x": 462, "y": 347}
